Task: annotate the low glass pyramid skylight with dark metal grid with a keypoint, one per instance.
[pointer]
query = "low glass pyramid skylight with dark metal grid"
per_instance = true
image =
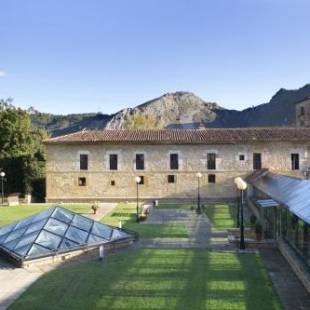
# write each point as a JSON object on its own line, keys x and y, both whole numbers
{"x": 54, "y": 231}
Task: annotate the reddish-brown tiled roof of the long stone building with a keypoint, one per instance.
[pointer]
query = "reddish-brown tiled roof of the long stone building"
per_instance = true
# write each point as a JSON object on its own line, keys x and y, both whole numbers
{"x": 186, "y": 136}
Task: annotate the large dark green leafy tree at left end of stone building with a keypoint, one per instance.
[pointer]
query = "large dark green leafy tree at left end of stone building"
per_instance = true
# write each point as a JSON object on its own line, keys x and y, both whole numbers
{"x": 22, "y": 154}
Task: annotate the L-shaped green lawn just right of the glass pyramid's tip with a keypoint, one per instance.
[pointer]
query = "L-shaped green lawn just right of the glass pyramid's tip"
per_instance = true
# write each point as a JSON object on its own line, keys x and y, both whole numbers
{"x": 126, "y": 212}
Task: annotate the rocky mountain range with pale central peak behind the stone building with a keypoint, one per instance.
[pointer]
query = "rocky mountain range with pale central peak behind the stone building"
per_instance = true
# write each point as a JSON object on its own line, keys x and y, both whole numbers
{"x": 182, "y": 110}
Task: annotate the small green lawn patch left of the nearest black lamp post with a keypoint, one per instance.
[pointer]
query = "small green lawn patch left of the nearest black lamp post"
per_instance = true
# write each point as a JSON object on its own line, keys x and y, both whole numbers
{"x": 222, "y": 215}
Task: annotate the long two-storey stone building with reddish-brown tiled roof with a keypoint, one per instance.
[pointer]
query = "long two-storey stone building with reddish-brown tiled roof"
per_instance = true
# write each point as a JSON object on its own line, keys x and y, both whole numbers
{"x": 102, "y": 165}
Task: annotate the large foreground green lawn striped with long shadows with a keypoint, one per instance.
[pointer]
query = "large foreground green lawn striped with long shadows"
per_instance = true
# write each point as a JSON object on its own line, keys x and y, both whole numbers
{"x": 156, "y": 279}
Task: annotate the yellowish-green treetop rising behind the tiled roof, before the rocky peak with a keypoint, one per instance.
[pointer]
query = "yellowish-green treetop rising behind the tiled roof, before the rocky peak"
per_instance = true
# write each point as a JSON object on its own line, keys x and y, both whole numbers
{"x": 143, "y": 121}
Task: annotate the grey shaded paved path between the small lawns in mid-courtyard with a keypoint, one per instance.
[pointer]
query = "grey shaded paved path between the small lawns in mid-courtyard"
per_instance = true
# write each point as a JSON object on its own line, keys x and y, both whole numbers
{"x": 199, "y": 229}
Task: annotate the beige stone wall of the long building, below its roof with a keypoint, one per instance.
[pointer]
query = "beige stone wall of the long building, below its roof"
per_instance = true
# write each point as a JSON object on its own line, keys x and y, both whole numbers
{"x": 63, "y": 169}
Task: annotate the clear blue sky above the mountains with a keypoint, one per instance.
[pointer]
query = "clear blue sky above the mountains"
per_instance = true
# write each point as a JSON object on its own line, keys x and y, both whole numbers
{"x": 82, "y": 56}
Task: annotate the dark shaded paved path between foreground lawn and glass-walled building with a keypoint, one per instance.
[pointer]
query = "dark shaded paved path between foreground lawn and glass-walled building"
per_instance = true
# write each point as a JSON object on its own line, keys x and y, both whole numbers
{"x": 291, "y": 291}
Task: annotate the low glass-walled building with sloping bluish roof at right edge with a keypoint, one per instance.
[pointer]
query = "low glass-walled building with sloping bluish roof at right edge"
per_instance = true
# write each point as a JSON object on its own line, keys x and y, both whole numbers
{"x": 283, "y": 205}
